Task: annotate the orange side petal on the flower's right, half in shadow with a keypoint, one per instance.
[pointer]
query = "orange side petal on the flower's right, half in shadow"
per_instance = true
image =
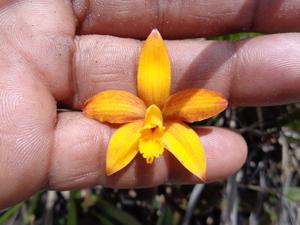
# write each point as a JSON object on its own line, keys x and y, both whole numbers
{"x": 192, "y": 105}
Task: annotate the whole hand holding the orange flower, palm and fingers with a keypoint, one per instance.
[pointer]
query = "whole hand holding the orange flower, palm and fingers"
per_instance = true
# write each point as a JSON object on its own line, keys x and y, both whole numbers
{"x": 47, "y": 57}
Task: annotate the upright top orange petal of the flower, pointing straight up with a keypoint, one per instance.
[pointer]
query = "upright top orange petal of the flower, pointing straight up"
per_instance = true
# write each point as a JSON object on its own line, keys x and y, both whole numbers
{"x": 154, "y": 71}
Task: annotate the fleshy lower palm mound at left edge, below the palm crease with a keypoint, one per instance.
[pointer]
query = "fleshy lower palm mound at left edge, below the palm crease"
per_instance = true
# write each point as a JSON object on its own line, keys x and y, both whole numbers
{"x": 27, "y": 120}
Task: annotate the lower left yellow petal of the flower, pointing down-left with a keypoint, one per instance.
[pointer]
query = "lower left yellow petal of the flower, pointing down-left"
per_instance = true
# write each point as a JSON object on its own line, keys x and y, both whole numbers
{"x": 123, "y": 146}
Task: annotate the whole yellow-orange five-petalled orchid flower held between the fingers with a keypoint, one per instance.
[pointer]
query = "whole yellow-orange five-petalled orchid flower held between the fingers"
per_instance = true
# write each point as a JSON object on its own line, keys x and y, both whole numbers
{"x": 154, "y": 121}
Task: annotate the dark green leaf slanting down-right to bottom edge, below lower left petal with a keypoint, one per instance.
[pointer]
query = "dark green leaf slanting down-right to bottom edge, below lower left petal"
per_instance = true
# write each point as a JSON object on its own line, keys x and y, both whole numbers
{"x": 117, "y": 214}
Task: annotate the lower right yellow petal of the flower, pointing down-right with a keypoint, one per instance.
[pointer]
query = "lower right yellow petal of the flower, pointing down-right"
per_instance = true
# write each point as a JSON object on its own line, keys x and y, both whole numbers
{"x": 185, "y": 145}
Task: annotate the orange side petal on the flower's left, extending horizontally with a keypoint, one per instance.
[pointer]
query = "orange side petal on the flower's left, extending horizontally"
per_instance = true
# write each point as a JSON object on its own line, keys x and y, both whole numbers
{"x": 114, "y": 106}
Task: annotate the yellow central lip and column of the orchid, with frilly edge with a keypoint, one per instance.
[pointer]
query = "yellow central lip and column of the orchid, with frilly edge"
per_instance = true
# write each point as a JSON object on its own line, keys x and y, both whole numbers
{"x": 150, "y": 145}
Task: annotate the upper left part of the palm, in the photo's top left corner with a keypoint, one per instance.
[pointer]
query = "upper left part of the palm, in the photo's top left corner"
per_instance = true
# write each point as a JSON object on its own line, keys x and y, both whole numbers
{"x": 42, "y": 33}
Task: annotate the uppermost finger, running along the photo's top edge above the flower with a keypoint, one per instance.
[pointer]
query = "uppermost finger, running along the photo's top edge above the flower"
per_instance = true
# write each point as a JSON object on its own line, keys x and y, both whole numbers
{"x": 176, "y": 19}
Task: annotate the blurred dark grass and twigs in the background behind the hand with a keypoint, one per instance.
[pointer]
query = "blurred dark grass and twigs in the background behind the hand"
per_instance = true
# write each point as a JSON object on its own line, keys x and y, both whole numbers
{"x": 265, "y": 191}
